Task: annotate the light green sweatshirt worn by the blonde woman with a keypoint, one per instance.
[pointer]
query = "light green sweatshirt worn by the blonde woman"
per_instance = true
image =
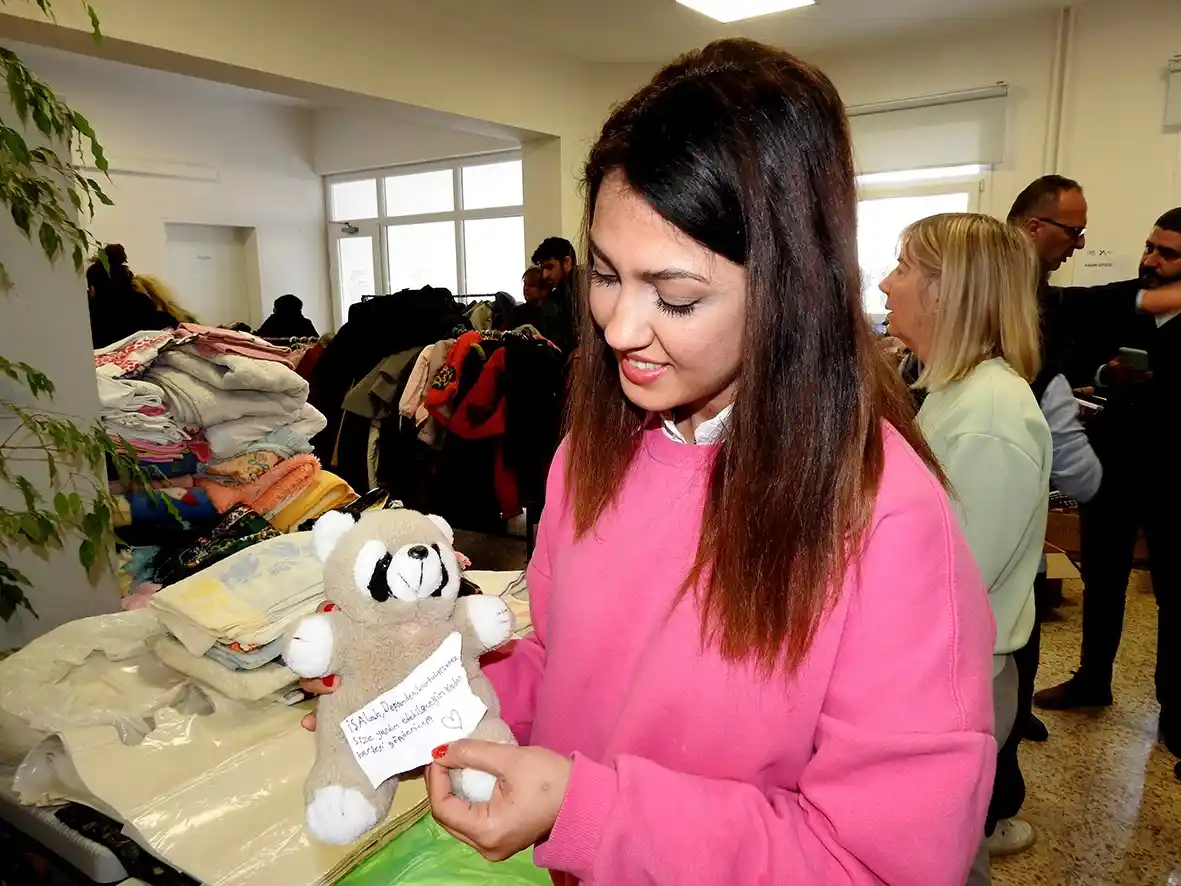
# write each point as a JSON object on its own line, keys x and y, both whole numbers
{"x": 993, "y": 440}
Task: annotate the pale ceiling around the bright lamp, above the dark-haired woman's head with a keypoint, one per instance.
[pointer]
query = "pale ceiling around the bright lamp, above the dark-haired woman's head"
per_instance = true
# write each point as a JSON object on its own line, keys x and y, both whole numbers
{"x": 654, "y": 31}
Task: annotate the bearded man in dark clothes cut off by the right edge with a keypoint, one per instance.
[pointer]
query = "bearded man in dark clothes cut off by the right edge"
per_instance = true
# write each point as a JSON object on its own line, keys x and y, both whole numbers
{"x": 1136, "y": 438}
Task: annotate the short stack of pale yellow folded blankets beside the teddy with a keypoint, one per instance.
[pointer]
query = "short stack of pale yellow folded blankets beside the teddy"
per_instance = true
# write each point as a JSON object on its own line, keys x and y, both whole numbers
{"x": 233, "y": 614}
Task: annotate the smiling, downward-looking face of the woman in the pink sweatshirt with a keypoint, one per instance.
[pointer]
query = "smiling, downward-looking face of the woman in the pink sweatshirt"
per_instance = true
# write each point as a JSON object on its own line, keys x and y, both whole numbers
{"x": 671, "y": 310}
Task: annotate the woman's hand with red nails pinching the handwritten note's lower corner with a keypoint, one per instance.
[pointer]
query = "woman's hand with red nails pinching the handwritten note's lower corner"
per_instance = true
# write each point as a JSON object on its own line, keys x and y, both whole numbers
{"x": 530, "y": 792}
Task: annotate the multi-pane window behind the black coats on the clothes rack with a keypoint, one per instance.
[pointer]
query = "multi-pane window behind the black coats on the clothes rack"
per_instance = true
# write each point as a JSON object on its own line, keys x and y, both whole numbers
{"x": 458, "y": 225}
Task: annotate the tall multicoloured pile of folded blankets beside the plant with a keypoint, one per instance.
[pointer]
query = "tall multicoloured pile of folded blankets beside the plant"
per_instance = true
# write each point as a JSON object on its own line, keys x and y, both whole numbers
{"x": 219, "y": 420}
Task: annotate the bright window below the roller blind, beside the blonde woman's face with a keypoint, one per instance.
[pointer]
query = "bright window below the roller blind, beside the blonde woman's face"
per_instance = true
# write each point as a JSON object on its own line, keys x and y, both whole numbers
{"x": 890, "y": 203}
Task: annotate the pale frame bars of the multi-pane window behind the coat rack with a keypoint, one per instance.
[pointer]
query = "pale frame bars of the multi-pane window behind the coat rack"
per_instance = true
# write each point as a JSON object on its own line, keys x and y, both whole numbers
{"x": 383, "y": 223}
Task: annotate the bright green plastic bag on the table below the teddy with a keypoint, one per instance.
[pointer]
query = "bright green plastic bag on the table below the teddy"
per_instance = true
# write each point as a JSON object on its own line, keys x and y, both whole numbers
{"x": 428, "y": 856}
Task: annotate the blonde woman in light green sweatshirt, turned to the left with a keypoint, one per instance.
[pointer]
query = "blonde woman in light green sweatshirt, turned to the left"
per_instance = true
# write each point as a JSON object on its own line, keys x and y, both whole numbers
{"x": 964, "y": 299}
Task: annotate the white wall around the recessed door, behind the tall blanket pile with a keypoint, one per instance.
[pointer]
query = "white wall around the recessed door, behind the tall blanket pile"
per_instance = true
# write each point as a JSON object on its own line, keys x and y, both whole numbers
{"x": 187, "y": 152}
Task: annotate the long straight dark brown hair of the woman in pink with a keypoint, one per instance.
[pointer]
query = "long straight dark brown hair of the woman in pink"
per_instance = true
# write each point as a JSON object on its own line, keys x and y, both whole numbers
{"x": 747, "y": 149}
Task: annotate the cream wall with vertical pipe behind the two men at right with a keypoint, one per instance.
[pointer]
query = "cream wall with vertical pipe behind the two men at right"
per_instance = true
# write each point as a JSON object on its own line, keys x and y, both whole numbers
{"x": 1113, "y": 139}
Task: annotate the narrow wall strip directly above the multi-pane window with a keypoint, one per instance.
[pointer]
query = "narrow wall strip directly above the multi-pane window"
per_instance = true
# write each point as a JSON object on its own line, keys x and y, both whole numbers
{"x": 348, "y": 141}
